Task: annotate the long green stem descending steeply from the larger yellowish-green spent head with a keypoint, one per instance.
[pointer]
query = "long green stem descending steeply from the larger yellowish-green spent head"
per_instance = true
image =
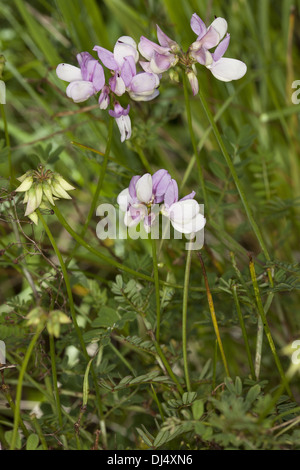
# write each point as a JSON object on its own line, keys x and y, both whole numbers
{"x": 73, "y": 314}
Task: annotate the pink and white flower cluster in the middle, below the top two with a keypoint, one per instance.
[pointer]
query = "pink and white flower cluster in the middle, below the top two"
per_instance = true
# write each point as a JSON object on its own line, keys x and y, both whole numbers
{"x": 137, "y": 202}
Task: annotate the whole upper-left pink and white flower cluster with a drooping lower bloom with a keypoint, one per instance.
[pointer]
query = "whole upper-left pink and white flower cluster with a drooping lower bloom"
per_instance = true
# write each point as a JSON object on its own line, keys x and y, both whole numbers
{"x": 88, "y": 79}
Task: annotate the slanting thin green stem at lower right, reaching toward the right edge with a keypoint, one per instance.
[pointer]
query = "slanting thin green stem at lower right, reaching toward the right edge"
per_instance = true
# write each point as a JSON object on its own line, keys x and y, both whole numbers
{"x": 267, "y": 328}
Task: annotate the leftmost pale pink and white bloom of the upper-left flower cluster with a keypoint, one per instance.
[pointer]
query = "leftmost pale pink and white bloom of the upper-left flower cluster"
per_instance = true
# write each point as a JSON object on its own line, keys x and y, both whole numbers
{"x": 85, "y": 80}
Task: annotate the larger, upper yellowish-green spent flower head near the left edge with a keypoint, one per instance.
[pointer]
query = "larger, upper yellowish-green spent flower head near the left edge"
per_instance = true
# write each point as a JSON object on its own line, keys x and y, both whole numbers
{"x": 42, "y": 187}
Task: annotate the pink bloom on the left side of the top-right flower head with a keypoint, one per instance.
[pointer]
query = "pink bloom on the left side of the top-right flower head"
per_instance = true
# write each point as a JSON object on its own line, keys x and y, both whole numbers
{"x": 161, "y": 57}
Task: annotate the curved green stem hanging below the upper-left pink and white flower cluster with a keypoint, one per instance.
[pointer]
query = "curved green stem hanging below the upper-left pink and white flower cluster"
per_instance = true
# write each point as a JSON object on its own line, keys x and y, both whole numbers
{"x": 98, "y": 188}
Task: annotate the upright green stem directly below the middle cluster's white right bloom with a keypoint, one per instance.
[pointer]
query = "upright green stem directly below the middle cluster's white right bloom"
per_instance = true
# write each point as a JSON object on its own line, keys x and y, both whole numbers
{"x": 184, "y": 318}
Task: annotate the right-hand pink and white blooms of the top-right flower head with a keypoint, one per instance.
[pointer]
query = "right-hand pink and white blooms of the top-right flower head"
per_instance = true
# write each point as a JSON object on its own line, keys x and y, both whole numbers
{"x": 223, "y": 69}
